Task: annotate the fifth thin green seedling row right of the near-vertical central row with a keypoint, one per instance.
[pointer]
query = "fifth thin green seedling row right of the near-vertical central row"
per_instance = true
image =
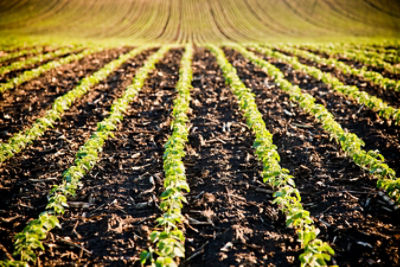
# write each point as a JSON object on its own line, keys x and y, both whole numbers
{"x": 360, "y": 56}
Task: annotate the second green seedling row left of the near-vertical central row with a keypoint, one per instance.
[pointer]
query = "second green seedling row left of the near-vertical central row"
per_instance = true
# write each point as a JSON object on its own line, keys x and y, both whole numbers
{"x": 20, "y": 140}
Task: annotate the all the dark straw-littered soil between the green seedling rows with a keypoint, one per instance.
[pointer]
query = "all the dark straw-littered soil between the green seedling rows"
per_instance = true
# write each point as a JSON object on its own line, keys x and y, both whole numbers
{"x": 229, "y": 217}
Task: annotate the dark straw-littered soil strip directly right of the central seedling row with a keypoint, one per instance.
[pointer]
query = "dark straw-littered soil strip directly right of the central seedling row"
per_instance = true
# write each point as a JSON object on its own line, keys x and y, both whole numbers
{"x": 232, "y": 221}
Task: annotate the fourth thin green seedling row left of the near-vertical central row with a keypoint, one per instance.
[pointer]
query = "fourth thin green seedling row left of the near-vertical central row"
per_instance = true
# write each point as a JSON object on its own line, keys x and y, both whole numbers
{"x": 17, "y": 65}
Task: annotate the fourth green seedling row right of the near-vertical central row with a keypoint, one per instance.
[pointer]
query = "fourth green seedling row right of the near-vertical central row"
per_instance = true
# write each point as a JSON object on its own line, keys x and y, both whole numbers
{"x": 371, "y": 76}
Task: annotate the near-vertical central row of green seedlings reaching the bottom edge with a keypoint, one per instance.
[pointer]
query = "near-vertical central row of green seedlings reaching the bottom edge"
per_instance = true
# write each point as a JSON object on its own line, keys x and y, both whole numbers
{"x": 170, "y": 239}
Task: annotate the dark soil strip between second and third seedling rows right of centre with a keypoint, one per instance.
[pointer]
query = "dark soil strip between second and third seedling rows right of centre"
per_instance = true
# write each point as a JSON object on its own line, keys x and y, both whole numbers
{"x": 375, "y": 132}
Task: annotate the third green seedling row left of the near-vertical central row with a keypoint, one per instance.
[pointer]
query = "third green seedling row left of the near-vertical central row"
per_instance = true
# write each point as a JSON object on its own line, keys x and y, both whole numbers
{"x": 31, "y": 74}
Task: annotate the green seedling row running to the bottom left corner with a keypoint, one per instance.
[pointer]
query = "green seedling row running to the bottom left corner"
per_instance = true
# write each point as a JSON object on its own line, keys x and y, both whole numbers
{"x": 30, "y": 239}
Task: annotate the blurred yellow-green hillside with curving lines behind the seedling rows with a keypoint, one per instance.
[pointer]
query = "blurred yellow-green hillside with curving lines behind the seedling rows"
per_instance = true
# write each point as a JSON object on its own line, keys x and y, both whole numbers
{"x": 174, "y": 21}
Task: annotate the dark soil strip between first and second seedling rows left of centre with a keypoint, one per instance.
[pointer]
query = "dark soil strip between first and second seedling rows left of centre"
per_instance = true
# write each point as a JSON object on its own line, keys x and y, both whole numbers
{"x": 26, "y": 178}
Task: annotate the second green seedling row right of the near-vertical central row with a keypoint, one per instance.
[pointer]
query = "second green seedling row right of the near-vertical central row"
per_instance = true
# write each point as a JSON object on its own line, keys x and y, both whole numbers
{"x": 349, "y": 142}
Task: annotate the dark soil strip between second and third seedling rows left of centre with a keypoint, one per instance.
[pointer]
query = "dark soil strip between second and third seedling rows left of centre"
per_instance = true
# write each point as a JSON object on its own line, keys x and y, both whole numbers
{"x": 21, "y": 106}
